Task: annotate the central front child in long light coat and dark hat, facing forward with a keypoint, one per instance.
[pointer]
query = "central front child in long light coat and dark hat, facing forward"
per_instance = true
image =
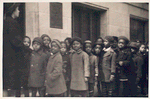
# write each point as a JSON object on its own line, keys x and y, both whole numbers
{"x": 79, "y": 70}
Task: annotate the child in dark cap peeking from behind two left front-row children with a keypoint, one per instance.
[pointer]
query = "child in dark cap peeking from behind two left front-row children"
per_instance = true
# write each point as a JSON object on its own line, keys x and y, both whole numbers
{"x": 46, "y": 41}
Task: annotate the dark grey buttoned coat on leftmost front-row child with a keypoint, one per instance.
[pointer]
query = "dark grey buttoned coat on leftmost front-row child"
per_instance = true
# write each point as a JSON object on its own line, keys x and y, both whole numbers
{"x": 38, "y": 63}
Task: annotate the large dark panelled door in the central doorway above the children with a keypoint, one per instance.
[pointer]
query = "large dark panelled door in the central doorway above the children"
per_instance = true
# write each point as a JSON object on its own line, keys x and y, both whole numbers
{"x": 85, "y": 23}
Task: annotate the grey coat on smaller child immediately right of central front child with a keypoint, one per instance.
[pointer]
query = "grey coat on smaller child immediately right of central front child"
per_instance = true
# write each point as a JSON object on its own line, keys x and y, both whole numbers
{"x": 93, "y": 68}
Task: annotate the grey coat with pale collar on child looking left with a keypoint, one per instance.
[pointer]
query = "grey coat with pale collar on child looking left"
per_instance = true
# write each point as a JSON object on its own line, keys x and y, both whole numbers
{"x": 108, "y": 65}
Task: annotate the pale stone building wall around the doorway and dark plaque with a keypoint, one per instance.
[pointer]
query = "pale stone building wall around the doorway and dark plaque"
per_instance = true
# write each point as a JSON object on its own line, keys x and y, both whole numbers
{"x": 115, "y": 21}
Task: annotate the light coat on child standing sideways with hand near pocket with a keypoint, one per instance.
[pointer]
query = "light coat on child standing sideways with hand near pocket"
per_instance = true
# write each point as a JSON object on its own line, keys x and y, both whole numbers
{"x": 55, "y": 82}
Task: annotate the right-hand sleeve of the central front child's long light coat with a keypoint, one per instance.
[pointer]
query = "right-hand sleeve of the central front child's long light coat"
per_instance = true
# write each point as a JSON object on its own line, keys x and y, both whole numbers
{"x": 86, "y": 65}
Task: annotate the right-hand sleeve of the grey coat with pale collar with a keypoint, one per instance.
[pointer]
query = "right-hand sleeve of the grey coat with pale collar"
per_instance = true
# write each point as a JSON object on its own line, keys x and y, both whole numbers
{"x": 113, "y": 63}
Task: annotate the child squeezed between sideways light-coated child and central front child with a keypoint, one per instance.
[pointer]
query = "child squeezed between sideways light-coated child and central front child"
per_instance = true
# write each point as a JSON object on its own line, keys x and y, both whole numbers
{"x": 66, "y": 65}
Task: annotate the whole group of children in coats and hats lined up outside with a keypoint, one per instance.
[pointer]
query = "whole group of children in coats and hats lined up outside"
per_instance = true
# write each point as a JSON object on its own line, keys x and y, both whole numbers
{"x": 71, "y": 68}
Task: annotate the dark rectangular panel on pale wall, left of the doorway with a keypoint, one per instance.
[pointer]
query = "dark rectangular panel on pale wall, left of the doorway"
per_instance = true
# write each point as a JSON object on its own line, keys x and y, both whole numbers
{"x": 56, "y": 15}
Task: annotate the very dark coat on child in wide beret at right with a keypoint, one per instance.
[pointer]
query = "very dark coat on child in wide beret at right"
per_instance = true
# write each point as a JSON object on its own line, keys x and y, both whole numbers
{"x": 125, "y": 71}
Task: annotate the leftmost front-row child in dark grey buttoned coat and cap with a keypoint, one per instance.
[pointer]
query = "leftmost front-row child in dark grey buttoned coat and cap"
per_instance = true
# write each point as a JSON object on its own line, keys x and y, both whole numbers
{"x": 38, "y": 62}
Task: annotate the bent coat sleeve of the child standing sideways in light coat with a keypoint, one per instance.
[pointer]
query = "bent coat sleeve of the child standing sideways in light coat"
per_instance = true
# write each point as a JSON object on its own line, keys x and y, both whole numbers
{"x": 57, "y": 70}
